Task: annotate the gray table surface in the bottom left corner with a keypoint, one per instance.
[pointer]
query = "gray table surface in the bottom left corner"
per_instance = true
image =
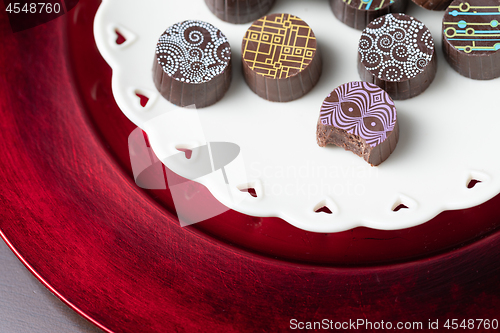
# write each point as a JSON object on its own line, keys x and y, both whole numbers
{"x": 26, "y": 306}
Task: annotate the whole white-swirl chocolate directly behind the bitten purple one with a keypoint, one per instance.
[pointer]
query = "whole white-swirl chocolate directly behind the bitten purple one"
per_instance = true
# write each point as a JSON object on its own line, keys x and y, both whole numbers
{"x": 396, "y": 52}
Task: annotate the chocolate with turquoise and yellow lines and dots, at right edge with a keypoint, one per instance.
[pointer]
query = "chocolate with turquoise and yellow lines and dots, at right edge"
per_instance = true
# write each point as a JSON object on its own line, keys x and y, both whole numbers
{"x": 471, "y": 38}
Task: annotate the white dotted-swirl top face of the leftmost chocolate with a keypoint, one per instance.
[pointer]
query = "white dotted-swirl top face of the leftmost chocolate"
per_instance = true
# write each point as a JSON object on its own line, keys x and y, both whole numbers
{"x": 193, "y": 51}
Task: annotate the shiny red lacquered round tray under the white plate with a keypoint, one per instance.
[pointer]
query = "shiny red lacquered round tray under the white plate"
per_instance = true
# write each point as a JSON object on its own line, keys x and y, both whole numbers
{"x": 116, "y": 254}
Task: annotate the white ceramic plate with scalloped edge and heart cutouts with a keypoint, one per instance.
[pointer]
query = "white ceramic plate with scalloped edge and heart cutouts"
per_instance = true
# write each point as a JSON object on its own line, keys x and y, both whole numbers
{"x": 448, "y": 135}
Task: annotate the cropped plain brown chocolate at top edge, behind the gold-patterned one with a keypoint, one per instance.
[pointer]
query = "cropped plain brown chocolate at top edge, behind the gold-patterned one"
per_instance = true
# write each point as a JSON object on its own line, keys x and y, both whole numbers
{"x": 239, "y": 11}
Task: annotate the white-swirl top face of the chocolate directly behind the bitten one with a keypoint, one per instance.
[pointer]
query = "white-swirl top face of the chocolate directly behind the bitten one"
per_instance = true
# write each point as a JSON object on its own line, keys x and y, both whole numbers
{"x": 396, "y": 47}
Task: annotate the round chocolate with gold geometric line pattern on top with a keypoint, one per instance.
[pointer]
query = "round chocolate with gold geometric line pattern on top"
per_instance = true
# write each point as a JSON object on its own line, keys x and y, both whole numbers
{"x": 280, "y": 58}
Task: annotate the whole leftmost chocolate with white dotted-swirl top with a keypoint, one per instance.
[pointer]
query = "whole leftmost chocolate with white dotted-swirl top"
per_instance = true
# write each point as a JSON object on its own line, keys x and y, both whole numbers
{"x": 193, "y": 64}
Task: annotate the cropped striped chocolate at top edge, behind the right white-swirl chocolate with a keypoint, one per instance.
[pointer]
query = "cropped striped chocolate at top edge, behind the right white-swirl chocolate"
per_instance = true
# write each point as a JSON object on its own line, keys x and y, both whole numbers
{"x": 358, "y": 13}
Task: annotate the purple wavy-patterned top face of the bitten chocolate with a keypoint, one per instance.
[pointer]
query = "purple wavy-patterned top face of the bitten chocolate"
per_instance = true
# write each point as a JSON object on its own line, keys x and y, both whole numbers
{"x": 362, "y": 109}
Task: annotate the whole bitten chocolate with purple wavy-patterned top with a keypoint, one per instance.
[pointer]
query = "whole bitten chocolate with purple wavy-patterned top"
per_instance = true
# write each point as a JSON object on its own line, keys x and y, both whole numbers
{"x": 362, "y": 118}
